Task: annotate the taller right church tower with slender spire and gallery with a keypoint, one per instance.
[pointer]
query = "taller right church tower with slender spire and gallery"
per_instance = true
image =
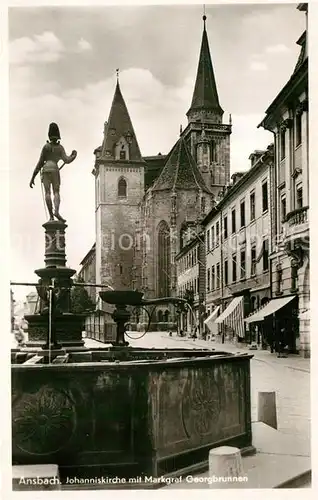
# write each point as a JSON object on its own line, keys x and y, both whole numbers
{"x": 206, "y": 136}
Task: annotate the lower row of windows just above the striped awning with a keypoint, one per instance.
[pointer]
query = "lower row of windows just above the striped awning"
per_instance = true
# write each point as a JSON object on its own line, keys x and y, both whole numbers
{"x": 213, "y": 274}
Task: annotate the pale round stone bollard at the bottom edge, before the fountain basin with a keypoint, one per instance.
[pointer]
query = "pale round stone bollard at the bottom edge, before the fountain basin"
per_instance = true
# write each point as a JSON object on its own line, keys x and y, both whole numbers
{"x": 225, "y": 467}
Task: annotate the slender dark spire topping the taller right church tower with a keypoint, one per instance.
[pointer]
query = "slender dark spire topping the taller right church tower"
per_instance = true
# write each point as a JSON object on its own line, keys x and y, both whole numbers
{"x": 205, "y": 95}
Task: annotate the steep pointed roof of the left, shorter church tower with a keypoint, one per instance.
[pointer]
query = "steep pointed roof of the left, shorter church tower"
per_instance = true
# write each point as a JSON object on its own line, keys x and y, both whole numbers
{"x": 119, "y": 125}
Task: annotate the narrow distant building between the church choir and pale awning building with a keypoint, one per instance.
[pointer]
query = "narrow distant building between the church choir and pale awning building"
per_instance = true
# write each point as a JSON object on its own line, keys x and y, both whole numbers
{"x": 190, "y": 262}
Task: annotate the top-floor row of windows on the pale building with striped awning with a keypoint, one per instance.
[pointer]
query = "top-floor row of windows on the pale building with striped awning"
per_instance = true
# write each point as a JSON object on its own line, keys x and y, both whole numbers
{"x": 213, "y": 234}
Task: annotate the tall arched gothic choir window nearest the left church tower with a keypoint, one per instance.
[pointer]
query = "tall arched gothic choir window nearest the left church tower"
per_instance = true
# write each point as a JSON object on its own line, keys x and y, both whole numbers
{"x": 163, "y": 269}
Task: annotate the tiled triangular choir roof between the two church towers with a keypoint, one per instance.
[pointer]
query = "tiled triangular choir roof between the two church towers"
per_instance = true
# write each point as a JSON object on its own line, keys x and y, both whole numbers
{"x": 180, "y": 171}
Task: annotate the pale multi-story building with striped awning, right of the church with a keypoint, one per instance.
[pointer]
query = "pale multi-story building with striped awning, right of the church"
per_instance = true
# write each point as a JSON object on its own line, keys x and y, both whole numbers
{"x": 237, "y": 233}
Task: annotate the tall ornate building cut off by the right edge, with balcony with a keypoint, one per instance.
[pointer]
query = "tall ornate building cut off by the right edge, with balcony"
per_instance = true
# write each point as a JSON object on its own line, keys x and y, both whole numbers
{"x": 287, "y": 117}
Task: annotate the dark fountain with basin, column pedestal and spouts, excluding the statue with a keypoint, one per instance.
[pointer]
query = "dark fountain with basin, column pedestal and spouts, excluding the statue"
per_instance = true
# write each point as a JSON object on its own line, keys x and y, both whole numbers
{"x": 118, "y": 411}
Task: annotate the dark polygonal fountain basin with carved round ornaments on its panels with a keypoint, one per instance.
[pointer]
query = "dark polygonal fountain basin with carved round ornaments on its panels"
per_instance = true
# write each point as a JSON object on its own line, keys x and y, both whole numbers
{"x": 153, "y": 413}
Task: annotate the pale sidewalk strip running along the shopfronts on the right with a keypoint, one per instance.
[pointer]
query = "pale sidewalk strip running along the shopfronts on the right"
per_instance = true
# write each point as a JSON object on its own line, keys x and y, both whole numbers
{"x": 293, "y": 361}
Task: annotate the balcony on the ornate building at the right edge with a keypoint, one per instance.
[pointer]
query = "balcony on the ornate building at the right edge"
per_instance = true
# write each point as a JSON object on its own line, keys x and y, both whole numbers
{"x": 296, "y": 227}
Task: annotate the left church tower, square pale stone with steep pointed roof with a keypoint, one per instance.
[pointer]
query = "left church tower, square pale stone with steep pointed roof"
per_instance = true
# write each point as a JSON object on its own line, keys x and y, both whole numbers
{"x": 119, "y": 188}
